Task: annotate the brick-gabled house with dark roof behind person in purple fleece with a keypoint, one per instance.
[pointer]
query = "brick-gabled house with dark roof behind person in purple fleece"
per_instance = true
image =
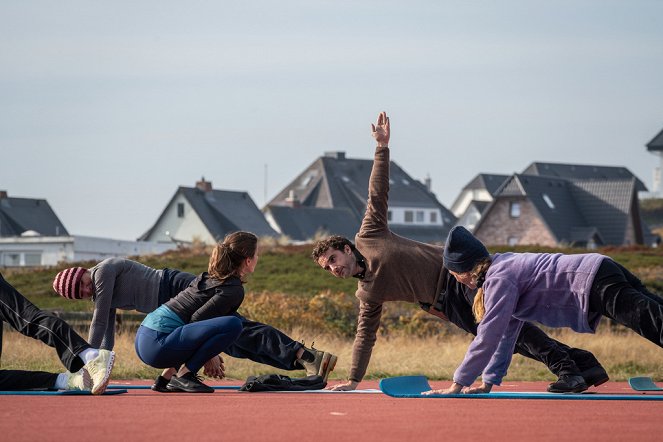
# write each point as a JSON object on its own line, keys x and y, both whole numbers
{"x": 554, "y": 210}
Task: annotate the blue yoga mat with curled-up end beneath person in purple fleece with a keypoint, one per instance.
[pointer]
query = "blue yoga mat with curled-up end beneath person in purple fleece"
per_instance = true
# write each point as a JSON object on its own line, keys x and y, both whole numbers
{"x": 413, "y": 386}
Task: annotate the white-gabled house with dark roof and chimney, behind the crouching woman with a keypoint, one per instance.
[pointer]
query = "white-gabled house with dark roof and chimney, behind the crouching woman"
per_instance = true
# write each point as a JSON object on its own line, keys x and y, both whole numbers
{"x": 204, "y": 214}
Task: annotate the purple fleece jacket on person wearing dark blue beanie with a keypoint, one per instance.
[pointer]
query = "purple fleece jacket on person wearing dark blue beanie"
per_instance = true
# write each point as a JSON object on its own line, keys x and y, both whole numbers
{"x": 552, "y": 289}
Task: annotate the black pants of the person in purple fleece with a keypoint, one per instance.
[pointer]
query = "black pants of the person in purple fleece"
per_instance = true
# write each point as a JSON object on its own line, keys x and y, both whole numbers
{"x": 621, "y": 296}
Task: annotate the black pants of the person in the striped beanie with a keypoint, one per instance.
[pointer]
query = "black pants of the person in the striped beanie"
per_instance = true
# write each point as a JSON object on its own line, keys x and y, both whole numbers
{"x": 258, "y": 342}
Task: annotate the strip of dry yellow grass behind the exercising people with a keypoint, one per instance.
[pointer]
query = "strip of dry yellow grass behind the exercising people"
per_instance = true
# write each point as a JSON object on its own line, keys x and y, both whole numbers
{"x": 622, "y": 353}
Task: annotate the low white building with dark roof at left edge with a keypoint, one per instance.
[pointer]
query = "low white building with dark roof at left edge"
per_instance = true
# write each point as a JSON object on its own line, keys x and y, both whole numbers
{"x": 32, "y": 235}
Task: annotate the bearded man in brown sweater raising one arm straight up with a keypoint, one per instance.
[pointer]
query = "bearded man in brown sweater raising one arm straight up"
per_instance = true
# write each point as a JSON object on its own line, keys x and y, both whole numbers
{"x": 392, "y": 268}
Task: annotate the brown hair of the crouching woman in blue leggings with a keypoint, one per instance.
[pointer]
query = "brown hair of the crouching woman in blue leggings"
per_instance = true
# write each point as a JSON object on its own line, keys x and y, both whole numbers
{"x": 228, "y": 256}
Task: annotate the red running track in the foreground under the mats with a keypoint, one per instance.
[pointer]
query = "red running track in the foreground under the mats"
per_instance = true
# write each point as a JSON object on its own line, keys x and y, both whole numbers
{"x": 228, "y": 415}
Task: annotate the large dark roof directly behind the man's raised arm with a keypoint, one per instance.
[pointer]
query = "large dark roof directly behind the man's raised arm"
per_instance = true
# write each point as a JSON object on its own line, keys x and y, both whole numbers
{"x": 334, "y": 181}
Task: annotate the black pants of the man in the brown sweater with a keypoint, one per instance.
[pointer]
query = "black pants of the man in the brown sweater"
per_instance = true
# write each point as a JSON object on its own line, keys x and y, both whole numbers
{"x": 534, "y": 343}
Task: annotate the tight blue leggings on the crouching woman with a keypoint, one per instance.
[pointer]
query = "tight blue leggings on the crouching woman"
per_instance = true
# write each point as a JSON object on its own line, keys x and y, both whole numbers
{"x": 191, "y": 344}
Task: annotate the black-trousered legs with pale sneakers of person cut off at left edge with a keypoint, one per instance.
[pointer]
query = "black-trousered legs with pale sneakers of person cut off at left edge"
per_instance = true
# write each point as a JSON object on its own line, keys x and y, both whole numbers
{"x": 89, "y": 368}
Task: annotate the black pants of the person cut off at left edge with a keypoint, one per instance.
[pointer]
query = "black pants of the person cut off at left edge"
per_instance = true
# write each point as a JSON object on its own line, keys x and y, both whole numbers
{"x": 27, "y": 319}
